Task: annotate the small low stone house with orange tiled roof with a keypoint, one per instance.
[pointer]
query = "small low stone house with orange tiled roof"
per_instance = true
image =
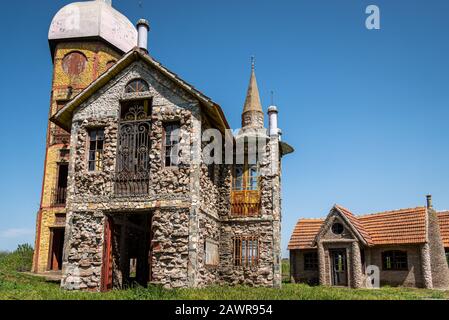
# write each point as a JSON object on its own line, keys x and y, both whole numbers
{"x": 409, "y": 247}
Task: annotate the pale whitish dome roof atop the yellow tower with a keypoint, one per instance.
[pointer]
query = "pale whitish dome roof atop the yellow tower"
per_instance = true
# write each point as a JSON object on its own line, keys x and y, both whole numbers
{"x": 93, "y": 19}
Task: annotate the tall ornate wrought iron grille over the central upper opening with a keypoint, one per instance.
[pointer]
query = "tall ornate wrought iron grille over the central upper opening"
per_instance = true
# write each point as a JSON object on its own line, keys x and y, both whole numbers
{"x": 132, "y": 176}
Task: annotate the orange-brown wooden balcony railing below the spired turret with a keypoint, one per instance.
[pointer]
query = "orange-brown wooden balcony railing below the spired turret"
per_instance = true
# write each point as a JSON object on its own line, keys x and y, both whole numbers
{"x": 245, "y": 203}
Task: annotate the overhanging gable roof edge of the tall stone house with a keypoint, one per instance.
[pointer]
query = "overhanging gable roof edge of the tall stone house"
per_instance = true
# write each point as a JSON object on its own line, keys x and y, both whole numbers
{"x": 63, "y": 118}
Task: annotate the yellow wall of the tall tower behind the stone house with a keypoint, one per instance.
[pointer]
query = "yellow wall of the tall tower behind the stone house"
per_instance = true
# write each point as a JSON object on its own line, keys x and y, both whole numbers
{"x": 98, "y": 56}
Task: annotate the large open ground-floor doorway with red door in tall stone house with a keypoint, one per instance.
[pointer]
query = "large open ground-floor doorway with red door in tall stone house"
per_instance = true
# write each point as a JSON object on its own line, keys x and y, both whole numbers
{"x": 127, "y": 254}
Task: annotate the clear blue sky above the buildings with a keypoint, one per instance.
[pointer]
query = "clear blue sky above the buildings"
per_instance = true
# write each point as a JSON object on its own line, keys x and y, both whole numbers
{"x": 367, "y": 111}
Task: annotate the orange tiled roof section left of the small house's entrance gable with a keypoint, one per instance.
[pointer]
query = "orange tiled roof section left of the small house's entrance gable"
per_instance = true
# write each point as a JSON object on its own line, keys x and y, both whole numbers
{"x": 304, "y": 233}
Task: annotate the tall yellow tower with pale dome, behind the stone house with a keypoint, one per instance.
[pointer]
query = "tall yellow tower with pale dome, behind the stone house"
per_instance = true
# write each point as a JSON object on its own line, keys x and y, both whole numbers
{"x": 86, "y": 39}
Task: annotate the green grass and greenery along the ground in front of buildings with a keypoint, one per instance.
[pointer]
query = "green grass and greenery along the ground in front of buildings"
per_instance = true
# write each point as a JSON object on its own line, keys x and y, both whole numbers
{"x": 18, "y": 286}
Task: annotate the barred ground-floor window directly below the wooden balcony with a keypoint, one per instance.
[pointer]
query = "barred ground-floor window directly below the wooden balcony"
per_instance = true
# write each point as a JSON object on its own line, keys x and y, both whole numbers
{"x": 246, "y": 251}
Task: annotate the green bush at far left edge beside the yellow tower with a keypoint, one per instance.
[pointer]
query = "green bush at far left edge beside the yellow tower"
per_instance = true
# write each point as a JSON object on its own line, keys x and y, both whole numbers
{"x": 20, "y": 260}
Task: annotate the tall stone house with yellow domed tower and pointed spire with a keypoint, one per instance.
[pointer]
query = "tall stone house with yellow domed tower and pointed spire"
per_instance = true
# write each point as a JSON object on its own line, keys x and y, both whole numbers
{"x": 142, "y": 202}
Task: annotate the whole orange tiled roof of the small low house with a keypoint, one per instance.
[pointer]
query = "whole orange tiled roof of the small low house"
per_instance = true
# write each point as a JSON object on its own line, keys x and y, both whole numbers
{"x": 405, "y": 226}
